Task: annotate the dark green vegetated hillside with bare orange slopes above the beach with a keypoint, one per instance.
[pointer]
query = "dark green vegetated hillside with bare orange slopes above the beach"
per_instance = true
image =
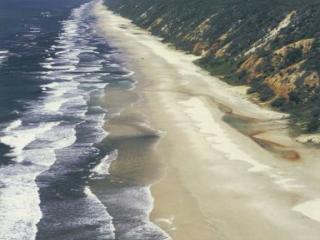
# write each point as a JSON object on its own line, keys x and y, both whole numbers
{"x": 273, "y": 46}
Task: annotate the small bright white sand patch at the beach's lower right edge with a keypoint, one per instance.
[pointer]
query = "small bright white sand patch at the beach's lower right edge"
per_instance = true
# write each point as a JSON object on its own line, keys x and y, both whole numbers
{"x": 310, "y": 209}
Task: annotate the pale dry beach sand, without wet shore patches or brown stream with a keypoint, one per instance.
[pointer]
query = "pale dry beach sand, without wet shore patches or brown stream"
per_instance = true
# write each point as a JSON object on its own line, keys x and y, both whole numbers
{"x": 213, "y": 185}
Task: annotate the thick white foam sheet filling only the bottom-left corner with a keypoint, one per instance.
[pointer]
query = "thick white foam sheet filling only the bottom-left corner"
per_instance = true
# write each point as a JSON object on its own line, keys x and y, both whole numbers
{"x": 19, "y": 203}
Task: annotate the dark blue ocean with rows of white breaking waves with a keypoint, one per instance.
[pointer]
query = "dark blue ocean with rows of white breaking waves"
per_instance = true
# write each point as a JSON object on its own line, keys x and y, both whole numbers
{"x": 55, "y": 69}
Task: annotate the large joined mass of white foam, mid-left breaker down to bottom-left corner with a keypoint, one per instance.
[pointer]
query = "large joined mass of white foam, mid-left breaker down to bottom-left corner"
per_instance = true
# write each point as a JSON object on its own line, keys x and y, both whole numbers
{"x": 19, "y": 203}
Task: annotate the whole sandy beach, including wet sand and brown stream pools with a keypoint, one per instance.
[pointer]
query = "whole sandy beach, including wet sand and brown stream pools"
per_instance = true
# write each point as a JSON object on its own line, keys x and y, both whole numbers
{"x": 219, "y": 166}
